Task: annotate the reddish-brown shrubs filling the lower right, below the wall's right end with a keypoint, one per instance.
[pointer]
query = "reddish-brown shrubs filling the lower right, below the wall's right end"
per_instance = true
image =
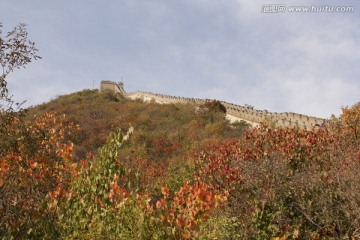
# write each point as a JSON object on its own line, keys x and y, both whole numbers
{"x": 288, "y": 182}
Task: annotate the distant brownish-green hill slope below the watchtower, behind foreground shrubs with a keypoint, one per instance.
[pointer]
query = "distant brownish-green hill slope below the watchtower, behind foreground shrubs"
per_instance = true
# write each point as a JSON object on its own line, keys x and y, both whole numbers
{"x": 162, "y": 133}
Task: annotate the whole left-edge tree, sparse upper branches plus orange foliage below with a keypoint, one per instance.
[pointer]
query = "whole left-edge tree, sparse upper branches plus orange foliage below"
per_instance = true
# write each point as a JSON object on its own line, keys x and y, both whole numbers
{"x": 34, "y": 155}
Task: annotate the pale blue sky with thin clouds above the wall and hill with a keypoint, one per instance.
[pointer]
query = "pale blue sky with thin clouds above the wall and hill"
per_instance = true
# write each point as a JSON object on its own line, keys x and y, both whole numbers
{"x": 229, "y": 50}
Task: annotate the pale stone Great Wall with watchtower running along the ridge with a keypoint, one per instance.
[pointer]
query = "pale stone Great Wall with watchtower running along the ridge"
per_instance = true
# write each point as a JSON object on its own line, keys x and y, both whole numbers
{"x": 234, "y": 112}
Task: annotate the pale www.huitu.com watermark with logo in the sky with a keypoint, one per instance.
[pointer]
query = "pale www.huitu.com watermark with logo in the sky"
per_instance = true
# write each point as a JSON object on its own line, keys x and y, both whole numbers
{"x": 282, "y": 8}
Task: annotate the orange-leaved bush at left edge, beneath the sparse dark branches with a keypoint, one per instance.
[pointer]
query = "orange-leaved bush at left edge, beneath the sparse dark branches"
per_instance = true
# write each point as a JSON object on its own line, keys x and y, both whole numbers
{"x": 33, "y": 168}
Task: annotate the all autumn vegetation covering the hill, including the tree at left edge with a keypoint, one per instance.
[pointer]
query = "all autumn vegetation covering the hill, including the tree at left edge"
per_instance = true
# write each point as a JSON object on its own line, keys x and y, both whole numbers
{"x": 174, "y": 173}
